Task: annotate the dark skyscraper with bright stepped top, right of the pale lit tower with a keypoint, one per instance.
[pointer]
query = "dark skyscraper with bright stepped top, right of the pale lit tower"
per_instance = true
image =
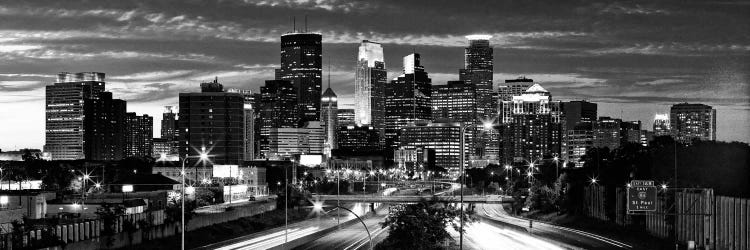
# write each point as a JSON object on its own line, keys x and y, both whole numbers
{"x": 408, "y": 99}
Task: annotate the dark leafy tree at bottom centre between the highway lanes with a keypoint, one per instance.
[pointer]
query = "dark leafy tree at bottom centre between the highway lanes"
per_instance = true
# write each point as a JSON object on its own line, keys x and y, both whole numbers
{"x": 421, "y": 226}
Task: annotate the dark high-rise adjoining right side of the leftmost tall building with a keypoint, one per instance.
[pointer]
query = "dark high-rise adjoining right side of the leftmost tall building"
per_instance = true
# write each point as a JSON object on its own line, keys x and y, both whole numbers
{"x": 105, "y": 128}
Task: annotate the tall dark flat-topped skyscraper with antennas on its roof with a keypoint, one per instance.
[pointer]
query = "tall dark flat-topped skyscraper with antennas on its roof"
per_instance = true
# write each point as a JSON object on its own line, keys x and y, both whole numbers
{"x": 301, "y": 64}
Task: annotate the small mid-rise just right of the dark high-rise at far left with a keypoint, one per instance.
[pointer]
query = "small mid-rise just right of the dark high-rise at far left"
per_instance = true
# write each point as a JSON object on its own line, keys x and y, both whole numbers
{"x": 138, "y": 135}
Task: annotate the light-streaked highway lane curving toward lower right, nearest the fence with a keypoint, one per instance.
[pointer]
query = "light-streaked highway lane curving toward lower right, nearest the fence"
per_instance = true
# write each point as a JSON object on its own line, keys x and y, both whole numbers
{"x": 563, "y": 236}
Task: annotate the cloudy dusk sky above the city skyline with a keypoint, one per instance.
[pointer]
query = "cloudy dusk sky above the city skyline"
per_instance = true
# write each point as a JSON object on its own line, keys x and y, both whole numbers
{"x": 634, "y": 58}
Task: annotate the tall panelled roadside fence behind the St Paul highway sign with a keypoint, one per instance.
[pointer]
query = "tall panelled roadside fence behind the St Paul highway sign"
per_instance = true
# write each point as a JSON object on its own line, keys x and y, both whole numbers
{"x": 716, "y": 222}
